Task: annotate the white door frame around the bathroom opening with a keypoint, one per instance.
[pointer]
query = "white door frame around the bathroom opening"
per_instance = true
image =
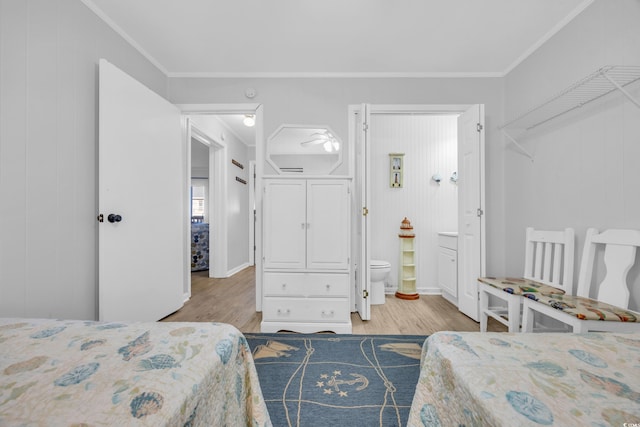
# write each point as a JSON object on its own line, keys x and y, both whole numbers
{"x": 424, "y": 109}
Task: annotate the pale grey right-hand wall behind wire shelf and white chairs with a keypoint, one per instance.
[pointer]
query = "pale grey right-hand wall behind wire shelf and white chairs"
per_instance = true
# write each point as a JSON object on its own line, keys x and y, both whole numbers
{"x": 585, "y": 171}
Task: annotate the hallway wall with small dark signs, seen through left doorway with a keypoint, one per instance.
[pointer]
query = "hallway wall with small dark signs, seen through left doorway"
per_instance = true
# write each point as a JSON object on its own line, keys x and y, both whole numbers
{"x": 237, "y": 196}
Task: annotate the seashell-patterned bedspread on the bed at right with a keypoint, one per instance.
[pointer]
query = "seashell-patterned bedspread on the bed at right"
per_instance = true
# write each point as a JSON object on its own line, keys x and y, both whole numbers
{"x": 501, "y": 379}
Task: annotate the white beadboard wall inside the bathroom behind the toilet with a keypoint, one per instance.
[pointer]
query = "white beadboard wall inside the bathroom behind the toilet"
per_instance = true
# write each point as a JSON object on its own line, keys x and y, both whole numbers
{"x": 429, "y": 144}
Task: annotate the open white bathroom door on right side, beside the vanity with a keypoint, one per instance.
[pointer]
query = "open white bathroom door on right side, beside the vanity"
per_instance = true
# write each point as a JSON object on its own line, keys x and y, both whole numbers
{"x": 471, "y": 253}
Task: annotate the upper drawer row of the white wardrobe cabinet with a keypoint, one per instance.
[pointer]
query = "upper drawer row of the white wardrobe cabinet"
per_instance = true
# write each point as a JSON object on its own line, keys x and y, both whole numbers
{"x": 306, "y": 285}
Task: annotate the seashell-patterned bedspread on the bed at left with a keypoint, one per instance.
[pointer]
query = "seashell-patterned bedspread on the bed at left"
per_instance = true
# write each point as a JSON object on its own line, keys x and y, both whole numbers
{"x": 136, "y": 374}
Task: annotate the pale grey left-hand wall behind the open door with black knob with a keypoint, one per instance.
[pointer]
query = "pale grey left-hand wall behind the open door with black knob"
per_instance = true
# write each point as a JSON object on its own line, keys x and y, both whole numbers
{"x": 49, "y": 52}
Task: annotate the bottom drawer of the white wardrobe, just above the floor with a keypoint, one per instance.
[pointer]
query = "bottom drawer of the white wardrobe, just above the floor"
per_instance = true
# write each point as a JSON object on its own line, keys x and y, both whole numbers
{"x": 306, "y": 310}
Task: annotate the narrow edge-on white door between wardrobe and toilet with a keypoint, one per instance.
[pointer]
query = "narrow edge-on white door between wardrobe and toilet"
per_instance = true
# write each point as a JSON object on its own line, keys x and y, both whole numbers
{"x": 363, "y": 302}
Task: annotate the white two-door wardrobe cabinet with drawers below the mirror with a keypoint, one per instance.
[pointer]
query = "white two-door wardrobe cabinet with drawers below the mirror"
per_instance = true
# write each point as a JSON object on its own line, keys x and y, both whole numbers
{"x": 306, "y": 261}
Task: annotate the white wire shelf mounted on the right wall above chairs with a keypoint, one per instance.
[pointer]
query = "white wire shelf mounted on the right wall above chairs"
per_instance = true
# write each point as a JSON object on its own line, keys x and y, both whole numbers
{"x": 592, "y": 87}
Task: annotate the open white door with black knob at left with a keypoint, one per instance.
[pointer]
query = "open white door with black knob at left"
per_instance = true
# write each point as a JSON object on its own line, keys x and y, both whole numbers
{"x": 141, "y": 197}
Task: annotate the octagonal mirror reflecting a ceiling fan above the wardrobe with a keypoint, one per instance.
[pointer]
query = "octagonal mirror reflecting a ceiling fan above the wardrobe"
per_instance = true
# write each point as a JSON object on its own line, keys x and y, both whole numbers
{"x": 301, "y": 149}
